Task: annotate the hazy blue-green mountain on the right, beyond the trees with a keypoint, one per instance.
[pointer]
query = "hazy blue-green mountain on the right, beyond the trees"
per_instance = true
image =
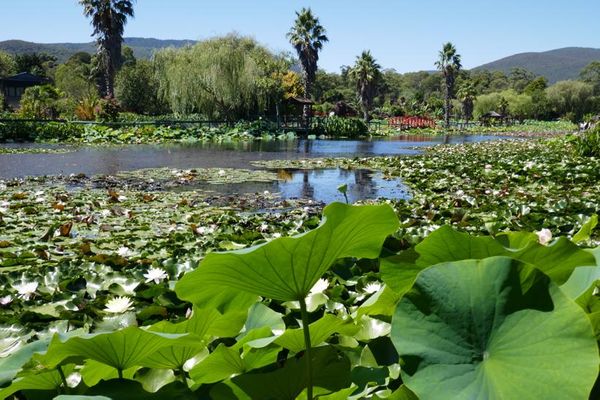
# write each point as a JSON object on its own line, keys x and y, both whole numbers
{"x": 556, "y": 65}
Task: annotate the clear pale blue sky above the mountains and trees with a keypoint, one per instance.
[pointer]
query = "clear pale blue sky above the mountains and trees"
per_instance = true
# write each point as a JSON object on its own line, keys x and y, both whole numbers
{"x": 405, "y": 35}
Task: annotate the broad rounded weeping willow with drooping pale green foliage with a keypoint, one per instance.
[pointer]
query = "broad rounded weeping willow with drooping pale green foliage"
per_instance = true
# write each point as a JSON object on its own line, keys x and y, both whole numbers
{"x": 224, "y": 77}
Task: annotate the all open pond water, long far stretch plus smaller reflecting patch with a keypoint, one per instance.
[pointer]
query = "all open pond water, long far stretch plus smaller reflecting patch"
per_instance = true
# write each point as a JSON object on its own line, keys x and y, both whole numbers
{"x": 318, "y": 185}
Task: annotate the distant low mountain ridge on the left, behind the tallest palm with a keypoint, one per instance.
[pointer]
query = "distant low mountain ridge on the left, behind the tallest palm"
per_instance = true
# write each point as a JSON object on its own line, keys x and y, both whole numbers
{"x": 142, "y": 47}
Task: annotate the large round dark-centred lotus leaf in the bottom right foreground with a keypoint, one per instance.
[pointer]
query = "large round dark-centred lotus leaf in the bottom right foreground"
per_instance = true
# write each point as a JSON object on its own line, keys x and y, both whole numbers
{"x": 493, "y": 329}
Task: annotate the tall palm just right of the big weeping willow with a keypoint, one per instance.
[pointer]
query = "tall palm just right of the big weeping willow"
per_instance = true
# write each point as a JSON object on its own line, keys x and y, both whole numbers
{"x": 307, "y": 36}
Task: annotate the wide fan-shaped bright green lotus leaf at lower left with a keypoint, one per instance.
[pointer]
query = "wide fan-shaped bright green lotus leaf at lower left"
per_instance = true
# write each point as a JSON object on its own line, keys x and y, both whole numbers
{"x": 121, "y": 349}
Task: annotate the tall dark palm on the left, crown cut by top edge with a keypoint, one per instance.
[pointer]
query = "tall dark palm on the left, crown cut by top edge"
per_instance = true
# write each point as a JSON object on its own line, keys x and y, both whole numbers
{"x": 108, "y": 19}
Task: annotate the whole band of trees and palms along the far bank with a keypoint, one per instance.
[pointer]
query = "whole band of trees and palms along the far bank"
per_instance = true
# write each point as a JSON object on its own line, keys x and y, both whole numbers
{"x": 234, "y": 77}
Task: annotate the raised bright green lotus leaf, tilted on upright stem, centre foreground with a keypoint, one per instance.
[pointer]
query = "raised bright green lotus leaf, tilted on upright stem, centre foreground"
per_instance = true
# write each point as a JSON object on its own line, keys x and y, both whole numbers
{"x": 287, "y": 268}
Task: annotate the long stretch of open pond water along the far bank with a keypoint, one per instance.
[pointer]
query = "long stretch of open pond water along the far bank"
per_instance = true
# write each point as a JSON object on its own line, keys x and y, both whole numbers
{"x": 92, "y": 160}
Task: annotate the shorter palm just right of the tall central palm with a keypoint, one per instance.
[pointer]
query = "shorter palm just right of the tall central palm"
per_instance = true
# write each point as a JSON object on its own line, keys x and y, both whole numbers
{"x": 367, "y": 73}
